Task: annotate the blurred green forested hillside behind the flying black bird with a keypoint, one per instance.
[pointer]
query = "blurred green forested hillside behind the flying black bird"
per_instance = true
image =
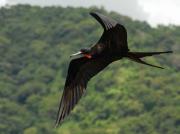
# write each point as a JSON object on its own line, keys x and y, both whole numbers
{"x": 126, "y": 98}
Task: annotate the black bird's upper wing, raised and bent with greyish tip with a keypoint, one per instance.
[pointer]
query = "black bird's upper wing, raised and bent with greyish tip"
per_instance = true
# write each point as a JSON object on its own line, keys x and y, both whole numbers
{"x": 114, "y": 37}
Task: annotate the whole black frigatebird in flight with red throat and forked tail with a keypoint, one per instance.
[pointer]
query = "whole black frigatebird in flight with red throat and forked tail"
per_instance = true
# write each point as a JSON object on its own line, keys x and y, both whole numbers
{"x": 112, "y": 46}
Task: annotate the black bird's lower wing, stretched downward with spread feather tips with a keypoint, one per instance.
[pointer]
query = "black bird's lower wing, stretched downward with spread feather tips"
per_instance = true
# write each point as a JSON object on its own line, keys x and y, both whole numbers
{"x": 80, "y": 71}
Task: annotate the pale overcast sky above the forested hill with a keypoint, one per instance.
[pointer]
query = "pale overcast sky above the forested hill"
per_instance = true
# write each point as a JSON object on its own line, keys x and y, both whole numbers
{"x": 153, "y": 11}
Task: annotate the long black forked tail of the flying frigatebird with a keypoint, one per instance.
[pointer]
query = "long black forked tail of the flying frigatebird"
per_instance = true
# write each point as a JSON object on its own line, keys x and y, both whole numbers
{"x": 136, "y": 56}
